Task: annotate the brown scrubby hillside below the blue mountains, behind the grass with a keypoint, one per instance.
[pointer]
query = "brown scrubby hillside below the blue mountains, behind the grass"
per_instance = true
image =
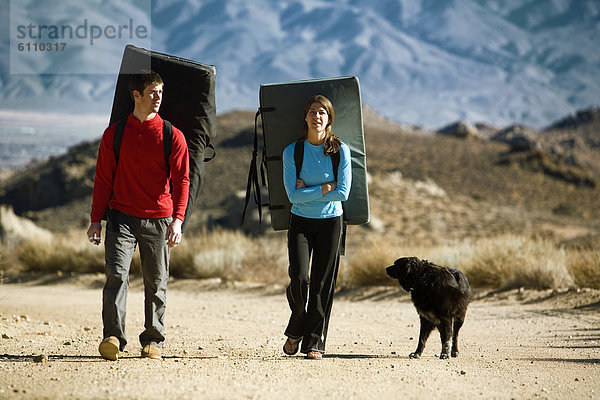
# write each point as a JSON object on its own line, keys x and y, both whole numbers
{"x": 423, "y": 186}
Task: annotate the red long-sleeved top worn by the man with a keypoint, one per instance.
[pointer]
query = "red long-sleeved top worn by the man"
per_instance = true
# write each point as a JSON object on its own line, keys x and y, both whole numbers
{"x": 139, "y": 184}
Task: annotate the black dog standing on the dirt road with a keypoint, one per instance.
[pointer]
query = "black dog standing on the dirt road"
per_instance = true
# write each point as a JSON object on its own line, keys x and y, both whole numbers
{"x": 440, "y": 295}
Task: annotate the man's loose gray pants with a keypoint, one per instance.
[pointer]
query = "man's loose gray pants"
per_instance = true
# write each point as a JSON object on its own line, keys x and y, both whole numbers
{"x": 123, "y": 233}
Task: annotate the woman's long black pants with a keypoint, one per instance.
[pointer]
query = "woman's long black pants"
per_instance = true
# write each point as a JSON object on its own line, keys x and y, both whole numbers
{"x": 311, "y": 288}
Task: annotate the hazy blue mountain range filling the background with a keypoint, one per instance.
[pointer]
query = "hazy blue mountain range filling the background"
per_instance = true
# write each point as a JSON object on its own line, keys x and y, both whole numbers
{"x": 426, "y": 62}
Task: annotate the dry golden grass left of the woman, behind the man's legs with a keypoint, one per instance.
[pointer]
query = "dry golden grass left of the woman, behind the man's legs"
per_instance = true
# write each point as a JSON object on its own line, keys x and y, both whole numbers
{"x": 224, "y": 254}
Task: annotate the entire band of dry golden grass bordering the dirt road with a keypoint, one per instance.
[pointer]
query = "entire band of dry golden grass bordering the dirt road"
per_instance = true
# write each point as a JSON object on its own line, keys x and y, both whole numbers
{"x": 503, "y": 262}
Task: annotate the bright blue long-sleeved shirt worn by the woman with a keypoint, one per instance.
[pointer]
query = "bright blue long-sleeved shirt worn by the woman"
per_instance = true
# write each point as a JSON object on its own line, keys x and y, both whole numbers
{"x": 317, "y": 169}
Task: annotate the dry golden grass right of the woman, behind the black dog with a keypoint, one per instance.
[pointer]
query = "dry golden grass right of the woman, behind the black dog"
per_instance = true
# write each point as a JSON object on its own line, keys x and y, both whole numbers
{"x": 504, "y": 262}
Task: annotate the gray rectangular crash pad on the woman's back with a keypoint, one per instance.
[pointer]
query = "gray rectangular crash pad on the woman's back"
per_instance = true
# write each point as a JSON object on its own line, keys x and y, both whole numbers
{"x": 282, "y": 107}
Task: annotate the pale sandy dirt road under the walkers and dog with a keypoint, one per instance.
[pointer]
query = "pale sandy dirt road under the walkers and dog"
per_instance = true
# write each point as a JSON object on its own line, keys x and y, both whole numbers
{"x": 225, "y": 343}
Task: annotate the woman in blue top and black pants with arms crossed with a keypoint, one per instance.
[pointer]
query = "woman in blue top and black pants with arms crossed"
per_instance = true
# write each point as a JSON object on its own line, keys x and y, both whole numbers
{"x": 315, "y": 227}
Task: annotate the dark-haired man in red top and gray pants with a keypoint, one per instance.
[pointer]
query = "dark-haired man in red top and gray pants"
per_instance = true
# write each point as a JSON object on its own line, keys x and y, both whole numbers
{"x": 135, "y": 194}
